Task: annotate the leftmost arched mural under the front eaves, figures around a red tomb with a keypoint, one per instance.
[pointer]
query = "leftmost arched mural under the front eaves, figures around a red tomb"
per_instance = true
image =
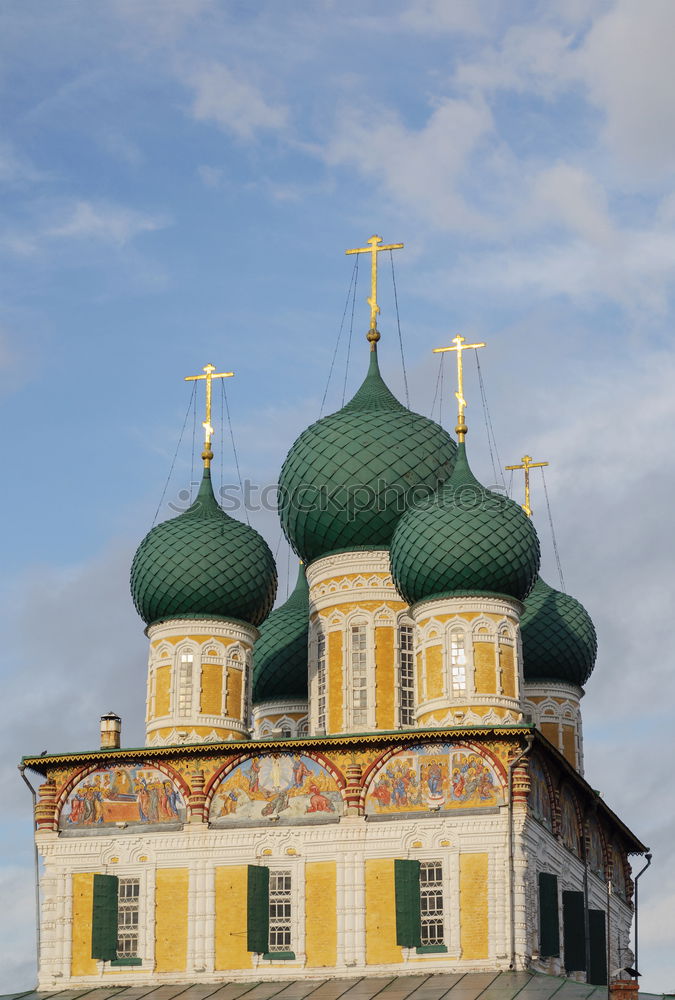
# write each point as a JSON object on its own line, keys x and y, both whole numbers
{"x": 132, "y": 795}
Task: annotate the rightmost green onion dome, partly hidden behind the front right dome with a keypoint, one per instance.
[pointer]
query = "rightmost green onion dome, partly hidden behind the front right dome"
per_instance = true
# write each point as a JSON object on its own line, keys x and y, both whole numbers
{"x": 559, "y": 640}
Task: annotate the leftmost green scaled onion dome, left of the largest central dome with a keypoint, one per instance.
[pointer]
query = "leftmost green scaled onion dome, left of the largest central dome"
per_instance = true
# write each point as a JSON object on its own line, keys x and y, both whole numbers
{"x": 203, "y": 564}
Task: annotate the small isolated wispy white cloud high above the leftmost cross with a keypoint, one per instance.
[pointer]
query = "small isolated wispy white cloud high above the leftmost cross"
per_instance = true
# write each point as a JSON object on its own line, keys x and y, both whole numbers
{"x": 233, "y": 103}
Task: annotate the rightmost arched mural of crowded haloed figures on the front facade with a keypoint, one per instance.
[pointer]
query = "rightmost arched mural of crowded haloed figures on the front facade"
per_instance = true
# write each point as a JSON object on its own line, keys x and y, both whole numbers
{"x": 436, "y": 776}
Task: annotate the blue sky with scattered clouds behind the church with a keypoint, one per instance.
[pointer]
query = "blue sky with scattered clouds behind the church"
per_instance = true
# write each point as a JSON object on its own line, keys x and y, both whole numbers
{"x": 178, "y": 182}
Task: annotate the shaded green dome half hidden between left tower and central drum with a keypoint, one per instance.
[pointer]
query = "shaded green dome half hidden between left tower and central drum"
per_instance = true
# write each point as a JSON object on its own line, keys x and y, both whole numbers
{"x": 280, "y": 654}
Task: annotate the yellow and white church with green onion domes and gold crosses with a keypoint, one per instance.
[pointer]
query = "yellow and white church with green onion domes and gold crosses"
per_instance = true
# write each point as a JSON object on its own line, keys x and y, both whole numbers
{"x": 383, "y": 776}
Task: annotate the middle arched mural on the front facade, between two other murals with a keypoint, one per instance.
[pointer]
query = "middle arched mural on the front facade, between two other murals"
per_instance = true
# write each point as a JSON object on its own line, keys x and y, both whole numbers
{"x": 279, "y": 788}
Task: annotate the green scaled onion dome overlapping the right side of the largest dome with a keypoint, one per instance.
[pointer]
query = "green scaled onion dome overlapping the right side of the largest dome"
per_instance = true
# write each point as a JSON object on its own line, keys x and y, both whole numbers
{"x": 464, "y": 540}
